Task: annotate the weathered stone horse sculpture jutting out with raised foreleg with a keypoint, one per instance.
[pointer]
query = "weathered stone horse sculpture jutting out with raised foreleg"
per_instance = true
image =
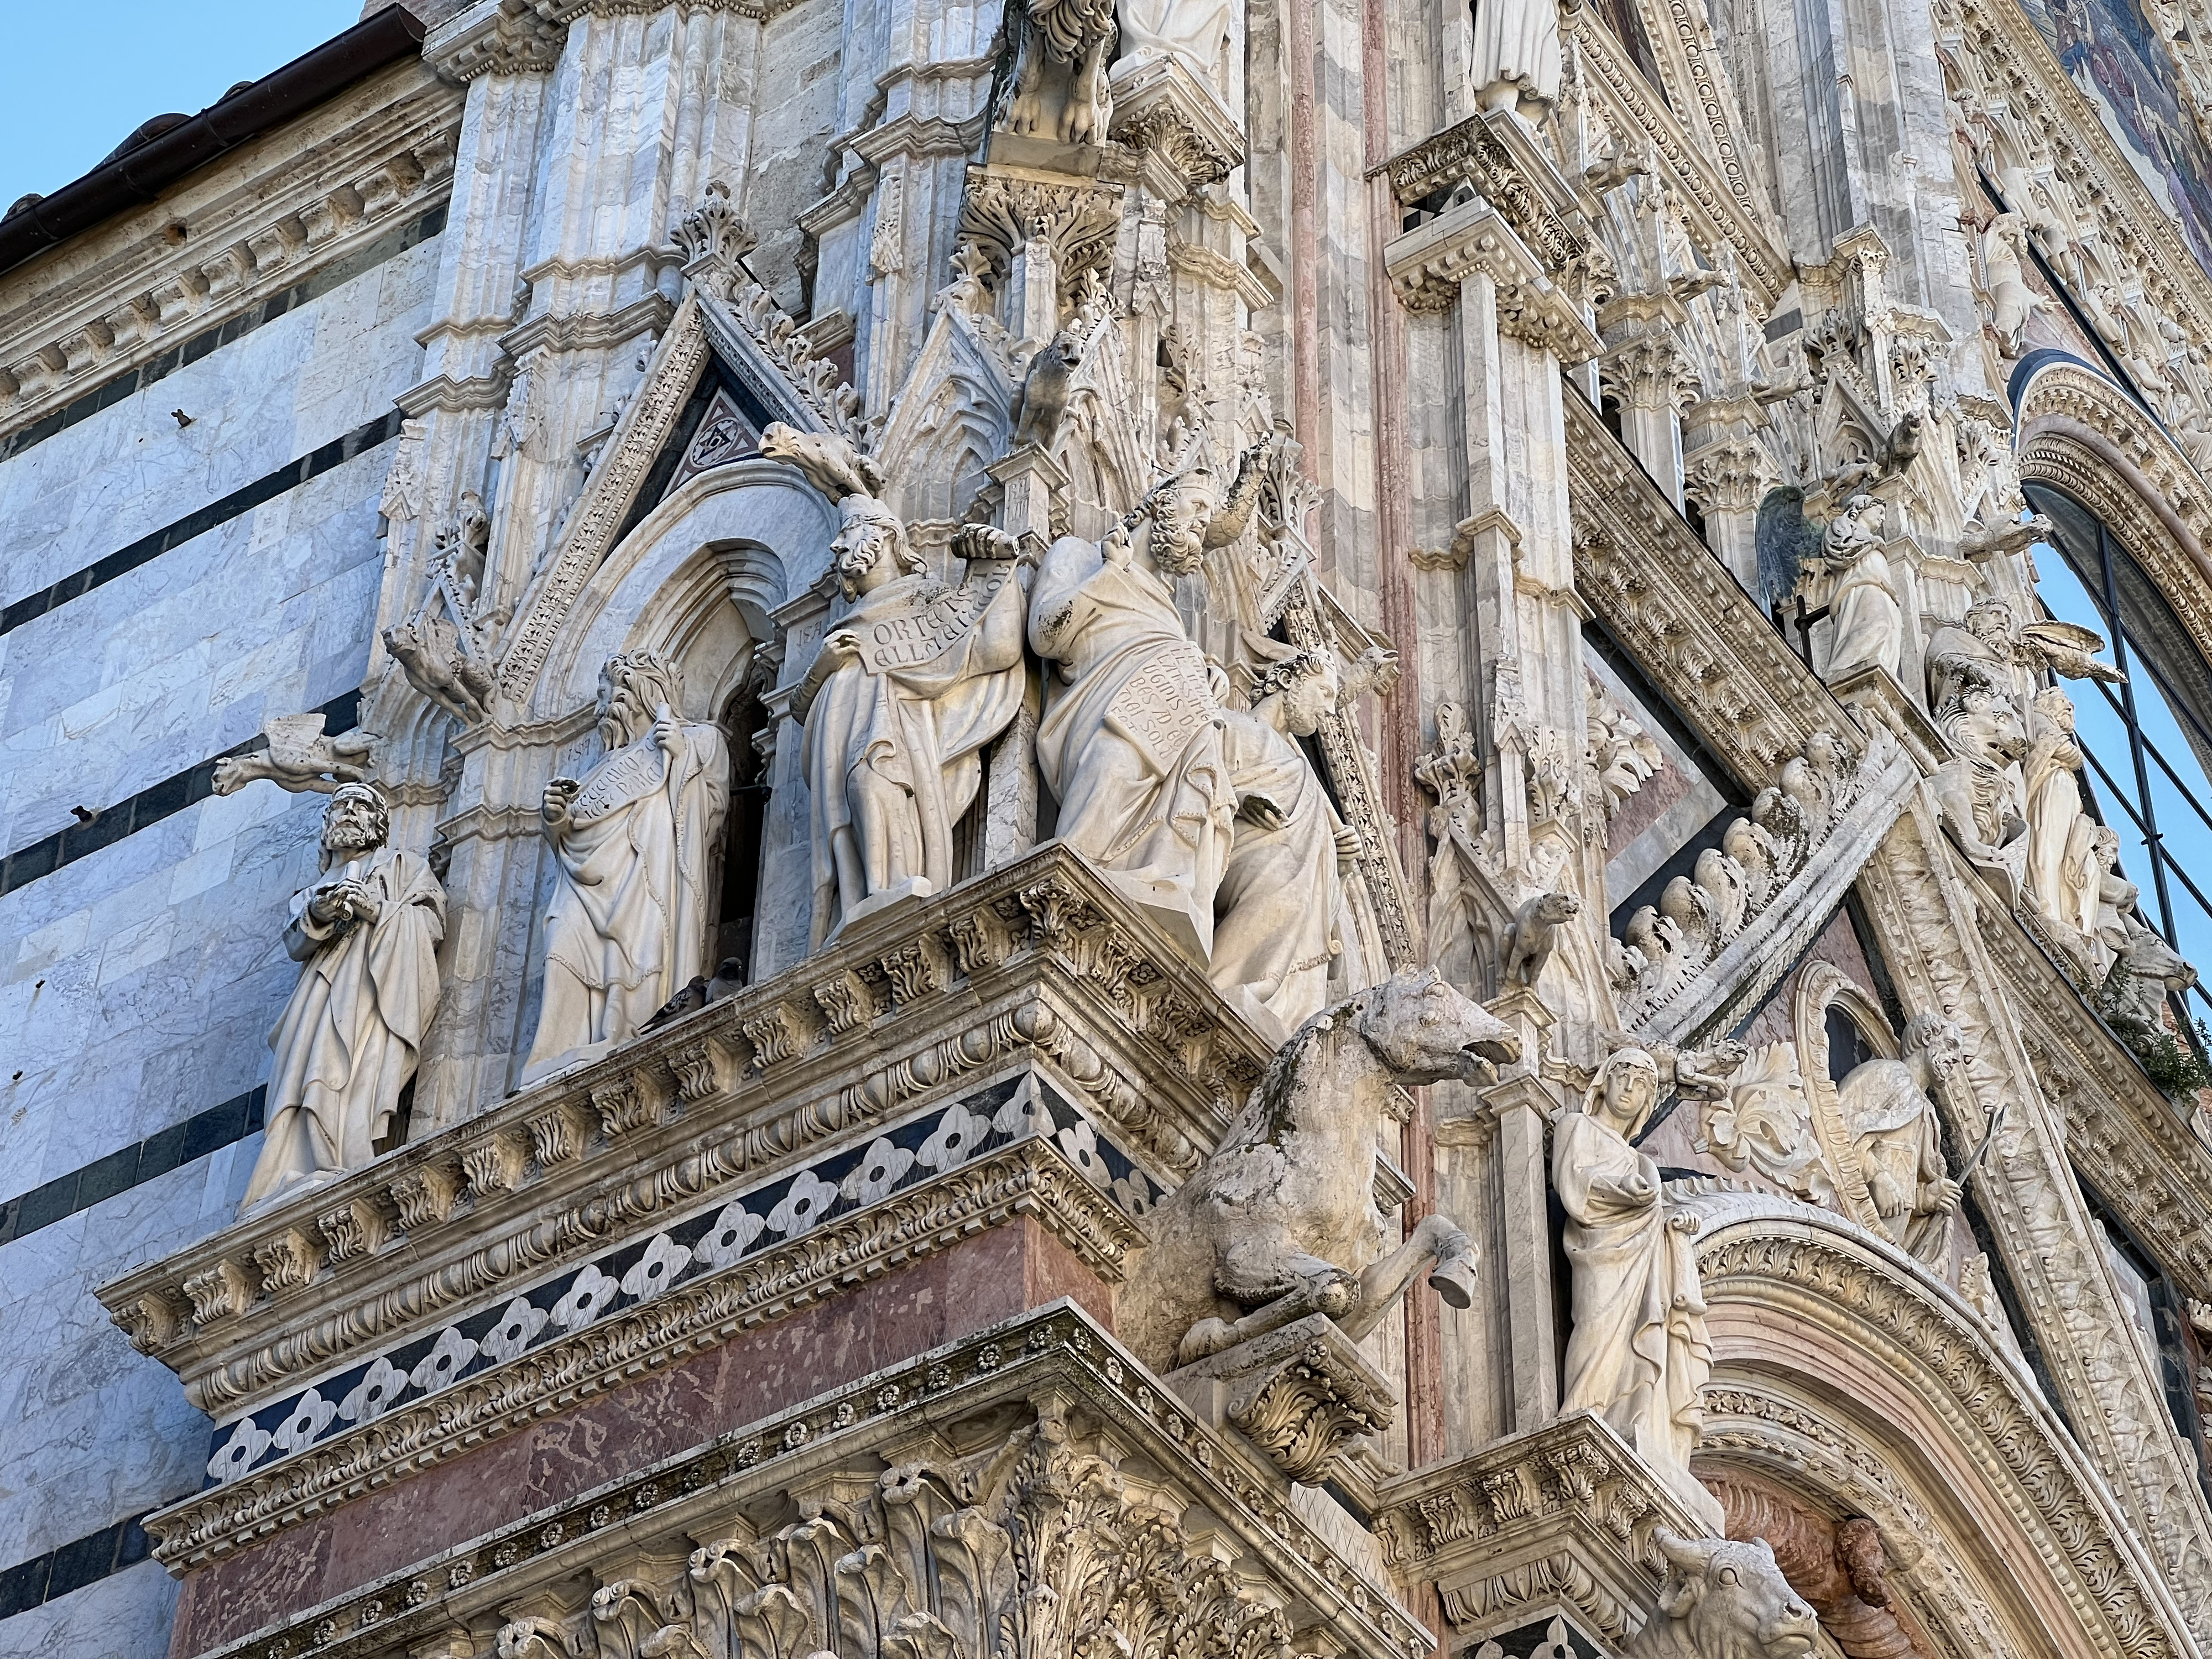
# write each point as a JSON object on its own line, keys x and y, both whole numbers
{"x": 1282, "y": 1220}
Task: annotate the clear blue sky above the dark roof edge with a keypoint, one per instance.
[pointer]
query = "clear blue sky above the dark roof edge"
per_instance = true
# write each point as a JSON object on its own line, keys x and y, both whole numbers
{"x": 72, "y": 101}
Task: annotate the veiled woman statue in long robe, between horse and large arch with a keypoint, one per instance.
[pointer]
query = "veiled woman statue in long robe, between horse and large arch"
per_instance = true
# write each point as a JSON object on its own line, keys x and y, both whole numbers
{"x": 1638, "y": 1353}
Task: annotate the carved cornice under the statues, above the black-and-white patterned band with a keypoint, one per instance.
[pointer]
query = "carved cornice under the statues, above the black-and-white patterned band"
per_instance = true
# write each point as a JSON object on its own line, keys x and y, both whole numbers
{"x": 1039, "y": 957}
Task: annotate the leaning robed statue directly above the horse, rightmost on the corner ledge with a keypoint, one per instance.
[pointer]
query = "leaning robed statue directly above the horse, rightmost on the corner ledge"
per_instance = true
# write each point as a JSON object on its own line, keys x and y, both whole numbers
{"x": 1282, "y": 888}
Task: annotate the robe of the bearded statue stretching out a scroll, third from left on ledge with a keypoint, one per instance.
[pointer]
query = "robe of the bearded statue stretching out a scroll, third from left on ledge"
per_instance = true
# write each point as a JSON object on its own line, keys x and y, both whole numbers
{"x": 908, "y": 731}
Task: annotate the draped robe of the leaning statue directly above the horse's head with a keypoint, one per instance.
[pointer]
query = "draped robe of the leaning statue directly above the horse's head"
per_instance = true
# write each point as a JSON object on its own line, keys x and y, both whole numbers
{"x": 1275, "y": 912}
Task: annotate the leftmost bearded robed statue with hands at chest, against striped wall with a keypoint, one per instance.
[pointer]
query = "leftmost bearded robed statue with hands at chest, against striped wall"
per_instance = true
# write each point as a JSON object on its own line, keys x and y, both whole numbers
{"x": 366, "y": 939}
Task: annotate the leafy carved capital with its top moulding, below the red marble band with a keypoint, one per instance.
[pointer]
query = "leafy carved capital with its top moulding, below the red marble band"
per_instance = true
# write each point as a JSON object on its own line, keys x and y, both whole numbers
{"x": 1074, "y": 1474}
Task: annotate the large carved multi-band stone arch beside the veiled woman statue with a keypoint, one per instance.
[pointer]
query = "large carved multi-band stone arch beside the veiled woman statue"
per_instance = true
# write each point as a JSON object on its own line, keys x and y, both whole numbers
{"x": 1853, "y": 1379}
